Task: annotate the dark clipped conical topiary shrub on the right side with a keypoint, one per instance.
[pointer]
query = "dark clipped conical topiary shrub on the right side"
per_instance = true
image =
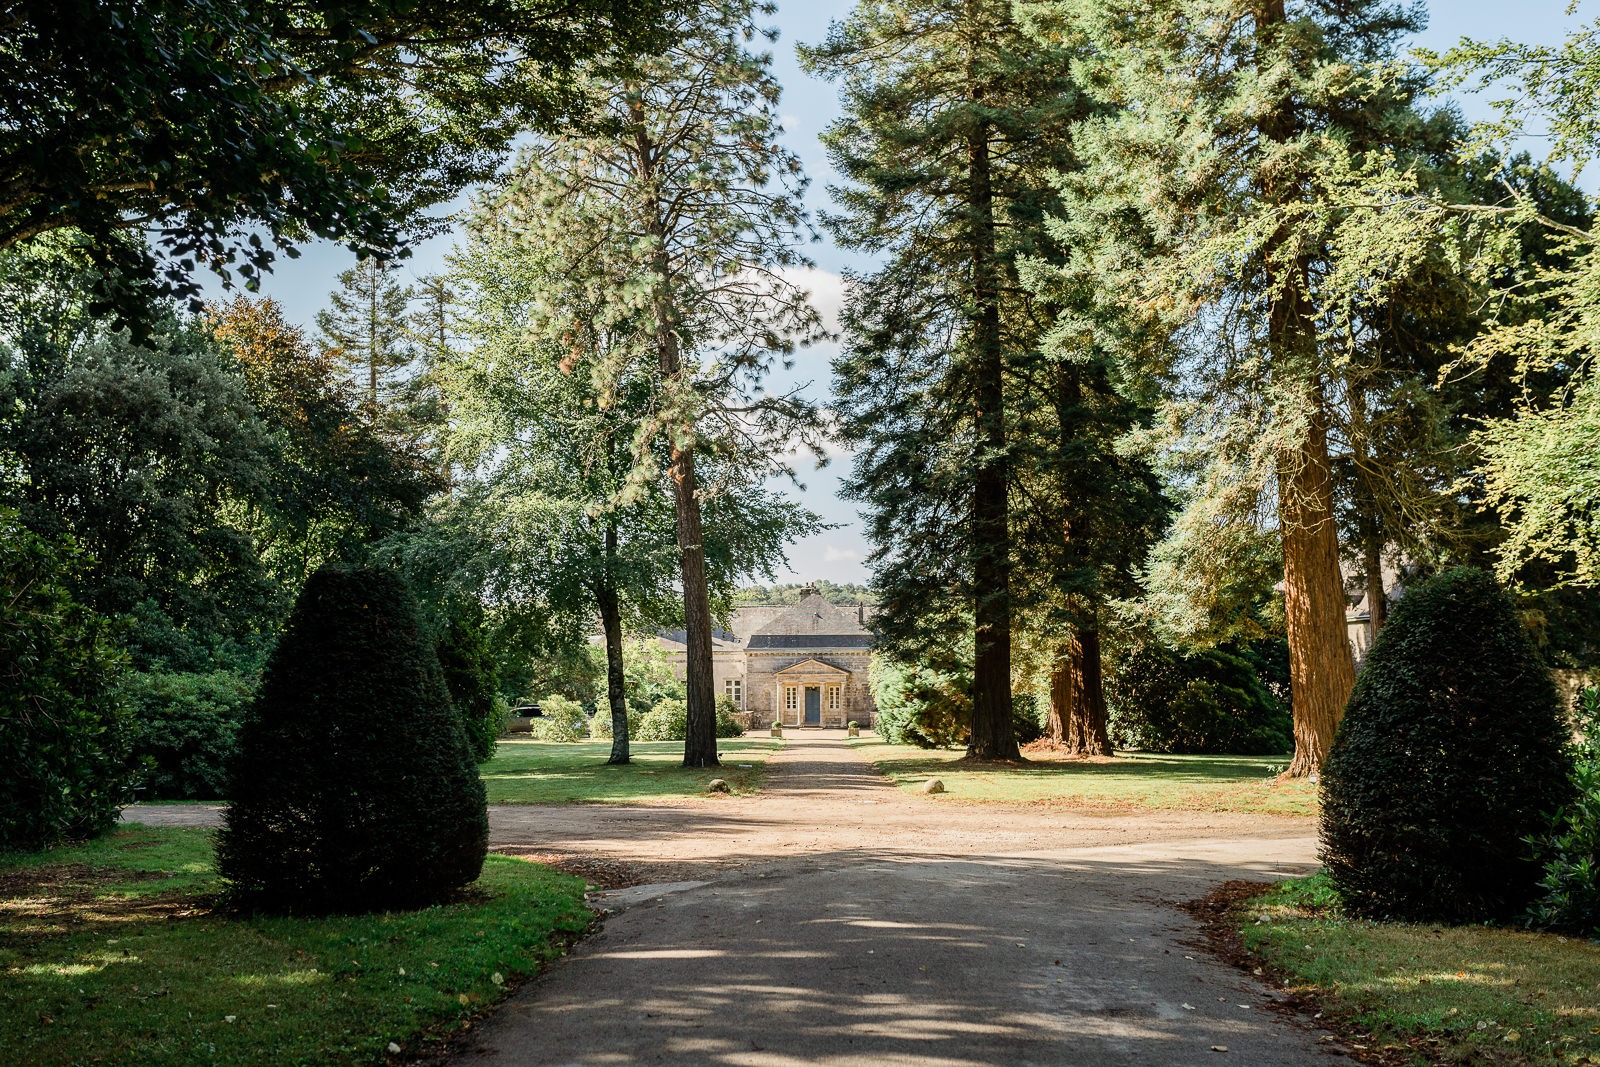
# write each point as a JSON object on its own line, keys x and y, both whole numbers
{"x": 1452, "y": 749}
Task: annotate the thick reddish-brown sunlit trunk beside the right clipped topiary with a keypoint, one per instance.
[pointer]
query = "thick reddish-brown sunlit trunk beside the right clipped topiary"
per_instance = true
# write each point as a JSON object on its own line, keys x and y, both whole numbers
{"x": 1321, "y": 666}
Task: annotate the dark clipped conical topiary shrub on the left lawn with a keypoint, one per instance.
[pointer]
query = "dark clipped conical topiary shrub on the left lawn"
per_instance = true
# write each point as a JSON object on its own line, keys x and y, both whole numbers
{"x": 354, "y": 788}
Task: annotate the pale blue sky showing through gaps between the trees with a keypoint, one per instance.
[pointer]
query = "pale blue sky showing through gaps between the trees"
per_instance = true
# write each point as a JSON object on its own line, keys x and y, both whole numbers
{"x": 809, "y": 106}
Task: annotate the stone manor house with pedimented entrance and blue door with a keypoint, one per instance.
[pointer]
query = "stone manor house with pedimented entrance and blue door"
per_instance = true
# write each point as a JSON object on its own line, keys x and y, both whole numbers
{"x": 801, "y": 665}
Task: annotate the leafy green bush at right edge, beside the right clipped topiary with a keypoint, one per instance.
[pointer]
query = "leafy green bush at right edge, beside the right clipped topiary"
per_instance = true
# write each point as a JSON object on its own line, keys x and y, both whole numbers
{"x": 1570, "y": 850}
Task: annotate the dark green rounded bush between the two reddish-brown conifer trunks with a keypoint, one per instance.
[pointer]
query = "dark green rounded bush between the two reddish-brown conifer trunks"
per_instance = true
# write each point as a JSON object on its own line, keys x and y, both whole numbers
{"x": 1207, "y": 701}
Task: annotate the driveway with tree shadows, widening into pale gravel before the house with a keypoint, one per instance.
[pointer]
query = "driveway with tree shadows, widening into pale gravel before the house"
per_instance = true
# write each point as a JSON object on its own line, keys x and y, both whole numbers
{"x": 838, "y": 921}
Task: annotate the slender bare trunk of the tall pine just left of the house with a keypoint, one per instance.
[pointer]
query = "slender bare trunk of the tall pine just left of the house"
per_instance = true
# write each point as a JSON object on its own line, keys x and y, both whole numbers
{"x": 700, "y": 743}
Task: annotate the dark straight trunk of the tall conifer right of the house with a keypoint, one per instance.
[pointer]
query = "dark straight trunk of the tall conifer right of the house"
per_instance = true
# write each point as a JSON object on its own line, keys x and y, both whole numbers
{"x": 993, "y": 735}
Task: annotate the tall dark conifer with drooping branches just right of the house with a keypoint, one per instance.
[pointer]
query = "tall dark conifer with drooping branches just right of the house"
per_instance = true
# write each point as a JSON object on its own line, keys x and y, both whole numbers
{"x": 951, "y": 118}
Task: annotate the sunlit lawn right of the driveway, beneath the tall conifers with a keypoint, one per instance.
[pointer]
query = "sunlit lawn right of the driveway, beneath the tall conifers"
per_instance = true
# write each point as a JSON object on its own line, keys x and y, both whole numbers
{"x": 1194, "y": 783}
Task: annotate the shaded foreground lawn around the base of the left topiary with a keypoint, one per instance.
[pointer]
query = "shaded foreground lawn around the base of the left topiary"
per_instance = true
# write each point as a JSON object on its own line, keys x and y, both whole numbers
{"x": 113, "y": 953}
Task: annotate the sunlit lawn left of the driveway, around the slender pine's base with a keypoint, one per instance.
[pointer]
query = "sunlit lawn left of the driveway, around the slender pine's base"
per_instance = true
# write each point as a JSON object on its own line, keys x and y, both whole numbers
{"x": 550, "y": 773}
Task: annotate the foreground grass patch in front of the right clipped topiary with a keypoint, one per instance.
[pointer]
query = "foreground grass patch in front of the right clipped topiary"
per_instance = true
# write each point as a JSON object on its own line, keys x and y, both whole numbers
{"x": 1452, "y": 994}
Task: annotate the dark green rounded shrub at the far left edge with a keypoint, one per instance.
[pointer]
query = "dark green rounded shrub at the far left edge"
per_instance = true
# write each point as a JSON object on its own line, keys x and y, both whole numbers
{"x": 65, "y": 729}
